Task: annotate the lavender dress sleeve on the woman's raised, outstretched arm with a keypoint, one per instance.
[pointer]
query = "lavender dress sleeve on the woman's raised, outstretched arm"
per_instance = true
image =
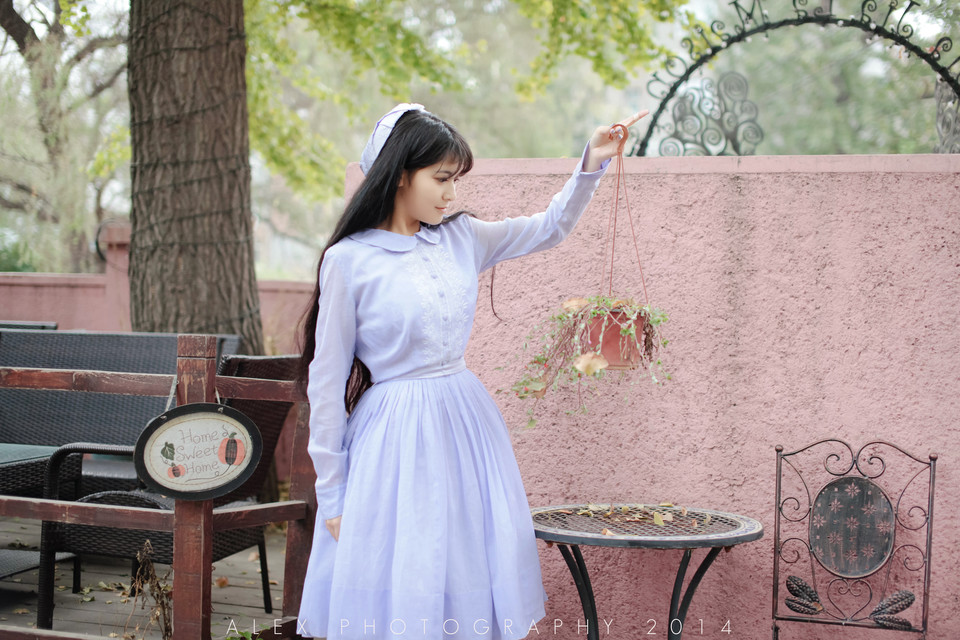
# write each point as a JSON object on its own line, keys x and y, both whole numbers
{"x": 515, "y": 237}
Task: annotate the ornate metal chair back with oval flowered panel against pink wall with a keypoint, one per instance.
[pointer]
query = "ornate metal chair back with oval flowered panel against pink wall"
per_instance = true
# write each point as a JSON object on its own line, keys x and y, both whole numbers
{"x": 865, "y": 537}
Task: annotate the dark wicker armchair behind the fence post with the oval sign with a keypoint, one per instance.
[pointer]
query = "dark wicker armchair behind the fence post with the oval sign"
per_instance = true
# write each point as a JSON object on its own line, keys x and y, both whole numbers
{"x": 125, "y": 543}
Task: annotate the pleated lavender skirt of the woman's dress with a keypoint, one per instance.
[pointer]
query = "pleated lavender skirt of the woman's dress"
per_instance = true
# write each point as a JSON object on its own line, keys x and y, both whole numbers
{"x": 436, "y": 540}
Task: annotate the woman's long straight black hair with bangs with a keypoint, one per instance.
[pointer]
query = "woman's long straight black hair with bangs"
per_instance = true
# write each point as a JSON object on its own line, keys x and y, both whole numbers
{"x": 419, "y": 139}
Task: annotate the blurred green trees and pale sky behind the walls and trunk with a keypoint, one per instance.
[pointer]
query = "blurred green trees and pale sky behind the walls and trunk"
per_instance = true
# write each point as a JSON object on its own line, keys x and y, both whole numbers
{"x": 520, "y": 78}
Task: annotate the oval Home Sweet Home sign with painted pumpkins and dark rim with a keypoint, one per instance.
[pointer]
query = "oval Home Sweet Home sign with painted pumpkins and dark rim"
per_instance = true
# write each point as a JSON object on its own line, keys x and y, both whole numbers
{"x": 198, "y": 451}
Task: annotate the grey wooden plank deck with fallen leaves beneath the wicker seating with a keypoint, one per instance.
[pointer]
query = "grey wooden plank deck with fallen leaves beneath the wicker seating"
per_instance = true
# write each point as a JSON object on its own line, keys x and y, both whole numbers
{"x": 108, "y": 611}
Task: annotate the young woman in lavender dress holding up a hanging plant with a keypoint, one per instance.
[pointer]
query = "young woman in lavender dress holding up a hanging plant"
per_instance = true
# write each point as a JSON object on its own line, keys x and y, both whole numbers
{"x": 427, "y": 528}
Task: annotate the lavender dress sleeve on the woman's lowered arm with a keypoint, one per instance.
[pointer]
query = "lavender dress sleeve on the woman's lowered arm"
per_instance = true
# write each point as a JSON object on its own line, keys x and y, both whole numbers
{"x": 329, "y": 371}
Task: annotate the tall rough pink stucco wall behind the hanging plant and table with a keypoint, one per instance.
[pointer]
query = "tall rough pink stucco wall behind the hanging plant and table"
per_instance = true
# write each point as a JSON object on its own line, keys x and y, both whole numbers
{"x": 809, "y": 297}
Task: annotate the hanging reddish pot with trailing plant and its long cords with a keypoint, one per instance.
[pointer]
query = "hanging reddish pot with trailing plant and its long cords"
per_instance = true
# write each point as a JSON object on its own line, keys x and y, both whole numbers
{"x": 591, "y": 336}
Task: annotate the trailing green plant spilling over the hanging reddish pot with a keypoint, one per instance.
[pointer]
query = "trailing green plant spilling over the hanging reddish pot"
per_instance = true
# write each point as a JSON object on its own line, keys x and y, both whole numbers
{"x": 568, "y": 346}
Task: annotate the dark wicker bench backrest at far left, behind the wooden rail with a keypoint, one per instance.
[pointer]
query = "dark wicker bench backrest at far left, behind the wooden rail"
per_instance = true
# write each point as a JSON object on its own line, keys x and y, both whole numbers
{"x": 30, "y": 416}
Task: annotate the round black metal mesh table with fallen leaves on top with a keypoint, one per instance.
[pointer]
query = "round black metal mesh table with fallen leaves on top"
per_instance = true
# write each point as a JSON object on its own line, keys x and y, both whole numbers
{"x": 635, "y": 526}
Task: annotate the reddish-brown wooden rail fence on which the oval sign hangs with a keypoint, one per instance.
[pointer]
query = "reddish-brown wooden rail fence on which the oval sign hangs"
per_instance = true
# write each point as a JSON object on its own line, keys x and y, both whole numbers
{"x": 192, "y": 523}
